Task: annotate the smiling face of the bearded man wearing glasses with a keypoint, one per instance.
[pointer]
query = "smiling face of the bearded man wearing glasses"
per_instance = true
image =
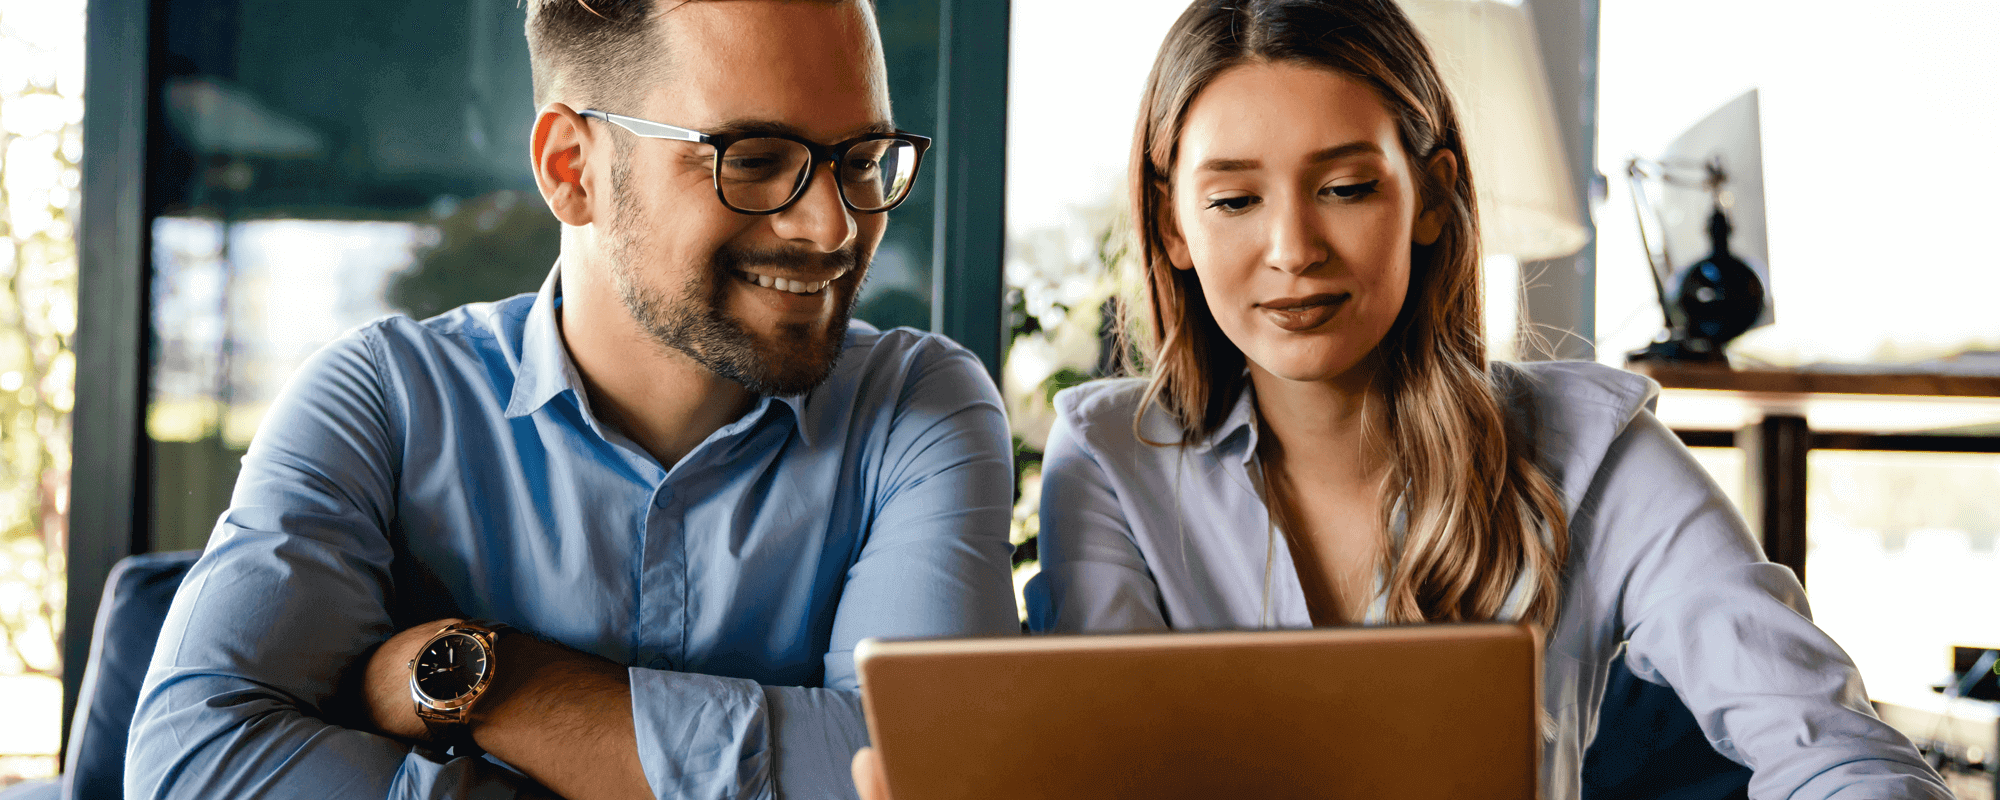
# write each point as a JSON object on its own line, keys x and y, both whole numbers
{"x": 763, "y": 301}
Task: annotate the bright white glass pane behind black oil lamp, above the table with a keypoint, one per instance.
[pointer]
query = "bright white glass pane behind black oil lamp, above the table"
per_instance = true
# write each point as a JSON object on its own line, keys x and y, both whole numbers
{"x": 1835, "y": 219}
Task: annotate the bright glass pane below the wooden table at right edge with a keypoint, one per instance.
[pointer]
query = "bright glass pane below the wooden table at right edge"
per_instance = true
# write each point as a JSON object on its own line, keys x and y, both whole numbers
{"x": 1901, "y": 561}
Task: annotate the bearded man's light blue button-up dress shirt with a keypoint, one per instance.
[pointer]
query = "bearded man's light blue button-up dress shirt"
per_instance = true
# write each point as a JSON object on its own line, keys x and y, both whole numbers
{"x": 453, "y": 467}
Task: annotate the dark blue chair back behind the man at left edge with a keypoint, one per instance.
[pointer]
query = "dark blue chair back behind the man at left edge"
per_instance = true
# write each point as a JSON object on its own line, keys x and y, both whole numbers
{"x": 137, "y": 597}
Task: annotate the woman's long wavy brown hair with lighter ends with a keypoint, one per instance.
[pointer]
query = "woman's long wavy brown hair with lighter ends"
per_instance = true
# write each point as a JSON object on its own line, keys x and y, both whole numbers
{"x": 1479, "y": 513}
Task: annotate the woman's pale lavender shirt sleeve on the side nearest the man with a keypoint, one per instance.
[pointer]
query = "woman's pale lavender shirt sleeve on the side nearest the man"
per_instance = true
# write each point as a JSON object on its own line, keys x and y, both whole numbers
{"x": 1095, "y": 577}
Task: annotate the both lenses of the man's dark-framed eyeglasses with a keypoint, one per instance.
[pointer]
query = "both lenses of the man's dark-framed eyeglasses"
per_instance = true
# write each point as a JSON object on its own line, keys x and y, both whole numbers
{"x": 765, "y": 173}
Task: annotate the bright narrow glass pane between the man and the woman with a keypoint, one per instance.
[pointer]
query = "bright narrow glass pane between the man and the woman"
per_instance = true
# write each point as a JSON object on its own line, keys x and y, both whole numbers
{"x": 1067, "y": 207}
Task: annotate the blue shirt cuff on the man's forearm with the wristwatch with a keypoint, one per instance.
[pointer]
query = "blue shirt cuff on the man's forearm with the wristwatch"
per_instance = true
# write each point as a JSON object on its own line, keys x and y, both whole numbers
{"x": 701, "y": 737}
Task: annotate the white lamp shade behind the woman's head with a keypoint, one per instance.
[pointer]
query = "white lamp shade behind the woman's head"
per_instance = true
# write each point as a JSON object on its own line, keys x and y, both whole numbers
{"x": 1493, "y": 67}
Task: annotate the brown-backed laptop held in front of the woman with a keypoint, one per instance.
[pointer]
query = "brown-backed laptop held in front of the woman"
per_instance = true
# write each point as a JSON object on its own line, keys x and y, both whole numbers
{"x": 1439, "y": 711}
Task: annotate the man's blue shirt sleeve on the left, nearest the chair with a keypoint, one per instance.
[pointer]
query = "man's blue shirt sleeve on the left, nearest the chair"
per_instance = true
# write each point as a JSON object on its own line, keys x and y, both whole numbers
{"x": 245, "y": 691}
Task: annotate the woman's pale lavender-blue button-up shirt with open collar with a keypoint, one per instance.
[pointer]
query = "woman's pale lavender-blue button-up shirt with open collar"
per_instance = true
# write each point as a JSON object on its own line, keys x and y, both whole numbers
{"x": 1179, "y": 537}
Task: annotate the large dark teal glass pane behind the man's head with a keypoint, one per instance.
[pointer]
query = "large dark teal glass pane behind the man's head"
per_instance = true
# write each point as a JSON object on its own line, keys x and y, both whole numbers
{"x": 327, "y": 163}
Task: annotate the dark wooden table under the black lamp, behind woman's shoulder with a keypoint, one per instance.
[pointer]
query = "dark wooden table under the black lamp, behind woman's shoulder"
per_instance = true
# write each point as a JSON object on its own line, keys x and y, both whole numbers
{"x": 1779, "y": 417}
